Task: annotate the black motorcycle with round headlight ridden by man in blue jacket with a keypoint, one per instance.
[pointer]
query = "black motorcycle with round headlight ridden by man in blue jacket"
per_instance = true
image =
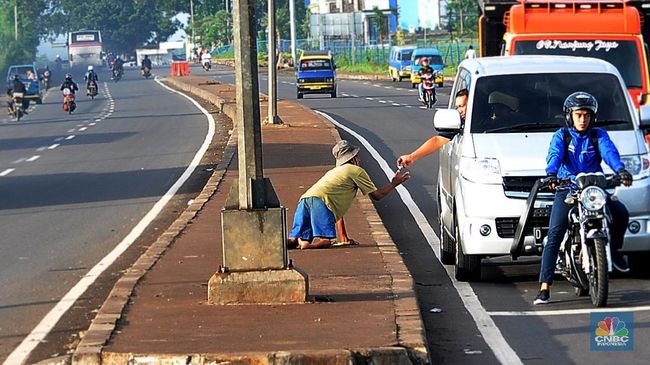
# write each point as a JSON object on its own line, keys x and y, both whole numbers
{"x": 584, "y": 257}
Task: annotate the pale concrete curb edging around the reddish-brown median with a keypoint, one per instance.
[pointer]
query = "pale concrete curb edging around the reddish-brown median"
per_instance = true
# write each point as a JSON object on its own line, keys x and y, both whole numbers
{"x": 409, "y": 349}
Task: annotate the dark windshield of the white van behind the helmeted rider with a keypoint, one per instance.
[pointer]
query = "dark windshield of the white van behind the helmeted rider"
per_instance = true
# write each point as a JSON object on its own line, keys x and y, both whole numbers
{"x": 533, "y": 102}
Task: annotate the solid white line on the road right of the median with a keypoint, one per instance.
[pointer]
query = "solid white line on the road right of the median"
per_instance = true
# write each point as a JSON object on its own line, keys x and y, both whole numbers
{"x": 486, "y": 326}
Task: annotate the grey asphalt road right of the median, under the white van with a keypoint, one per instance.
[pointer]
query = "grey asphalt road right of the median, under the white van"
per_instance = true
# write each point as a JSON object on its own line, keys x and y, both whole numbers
{"x": 388, "y": 116}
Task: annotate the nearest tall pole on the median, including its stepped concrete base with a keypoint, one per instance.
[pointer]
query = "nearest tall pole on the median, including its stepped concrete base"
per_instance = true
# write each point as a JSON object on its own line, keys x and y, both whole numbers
{"x": 255, "y": 267}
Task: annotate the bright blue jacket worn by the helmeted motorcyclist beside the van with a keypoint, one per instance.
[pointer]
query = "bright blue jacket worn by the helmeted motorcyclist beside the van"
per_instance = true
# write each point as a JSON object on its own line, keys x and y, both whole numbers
{"x": 582, "y": 156}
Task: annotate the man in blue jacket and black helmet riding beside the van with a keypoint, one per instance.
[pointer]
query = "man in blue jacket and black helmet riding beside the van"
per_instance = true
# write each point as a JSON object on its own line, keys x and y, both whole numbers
{"x": 587, "y": 148}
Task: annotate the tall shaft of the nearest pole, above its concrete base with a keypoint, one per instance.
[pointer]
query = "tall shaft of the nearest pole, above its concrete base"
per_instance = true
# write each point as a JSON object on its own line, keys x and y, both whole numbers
{"x": 249, "y": 148}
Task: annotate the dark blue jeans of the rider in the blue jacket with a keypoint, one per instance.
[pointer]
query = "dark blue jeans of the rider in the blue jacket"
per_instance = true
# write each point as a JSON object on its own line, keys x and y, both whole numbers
{"x": 558, "y": 225}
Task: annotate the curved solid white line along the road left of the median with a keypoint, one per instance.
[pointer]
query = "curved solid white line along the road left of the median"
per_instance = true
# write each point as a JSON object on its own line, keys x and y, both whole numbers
{"x": 22, "y": 352}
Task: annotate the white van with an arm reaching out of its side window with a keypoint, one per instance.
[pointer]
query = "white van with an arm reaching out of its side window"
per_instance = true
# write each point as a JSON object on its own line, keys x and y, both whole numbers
{"x": 488, "y": 169}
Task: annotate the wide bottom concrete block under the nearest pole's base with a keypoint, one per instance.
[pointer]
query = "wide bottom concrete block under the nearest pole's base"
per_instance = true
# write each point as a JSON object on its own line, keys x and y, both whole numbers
{"x": 285, "y": 286}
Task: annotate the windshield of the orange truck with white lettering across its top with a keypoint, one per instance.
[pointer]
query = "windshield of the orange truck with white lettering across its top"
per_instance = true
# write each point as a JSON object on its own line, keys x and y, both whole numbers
{"x": 622, "y": 54}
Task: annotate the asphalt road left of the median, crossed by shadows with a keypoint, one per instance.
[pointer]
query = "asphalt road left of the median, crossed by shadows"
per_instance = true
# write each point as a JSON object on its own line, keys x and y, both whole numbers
{"x": 73, "y": 186}
